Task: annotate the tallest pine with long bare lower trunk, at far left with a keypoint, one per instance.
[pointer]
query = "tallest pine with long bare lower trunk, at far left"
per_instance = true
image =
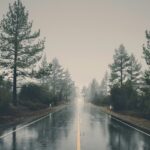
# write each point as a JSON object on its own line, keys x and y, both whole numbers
{"x": 19, "y": 48}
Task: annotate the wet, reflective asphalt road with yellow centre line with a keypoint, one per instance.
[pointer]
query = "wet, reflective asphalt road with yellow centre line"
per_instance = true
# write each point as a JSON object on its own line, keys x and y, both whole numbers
{"x": 77, "y": 127}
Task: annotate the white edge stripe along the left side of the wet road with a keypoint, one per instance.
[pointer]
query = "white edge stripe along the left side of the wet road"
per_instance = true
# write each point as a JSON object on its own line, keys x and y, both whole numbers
{"x": 5, "y": 135}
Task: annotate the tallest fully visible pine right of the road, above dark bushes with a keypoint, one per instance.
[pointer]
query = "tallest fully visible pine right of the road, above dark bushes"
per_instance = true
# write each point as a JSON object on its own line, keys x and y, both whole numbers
{"x": 119, "y": 66}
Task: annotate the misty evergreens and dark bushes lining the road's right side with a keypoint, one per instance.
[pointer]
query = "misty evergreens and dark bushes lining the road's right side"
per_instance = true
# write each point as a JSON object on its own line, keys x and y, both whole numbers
{"x": 126, "y": 87}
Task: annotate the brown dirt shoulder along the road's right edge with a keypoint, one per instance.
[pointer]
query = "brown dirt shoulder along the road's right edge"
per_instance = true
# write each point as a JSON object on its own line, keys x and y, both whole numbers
{"x": 138, "y": 122}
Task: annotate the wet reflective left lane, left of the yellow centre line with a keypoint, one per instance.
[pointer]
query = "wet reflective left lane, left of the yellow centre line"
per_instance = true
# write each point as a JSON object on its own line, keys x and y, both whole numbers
{"x": 51, "y": 133}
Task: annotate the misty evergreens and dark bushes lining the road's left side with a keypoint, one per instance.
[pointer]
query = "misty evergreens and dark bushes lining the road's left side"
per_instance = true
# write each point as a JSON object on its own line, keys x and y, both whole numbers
{"x": 22, "y": 80}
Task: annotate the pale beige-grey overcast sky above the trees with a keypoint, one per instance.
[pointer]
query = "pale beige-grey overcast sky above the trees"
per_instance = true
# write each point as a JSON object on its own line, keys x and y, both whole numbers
{"x": 83, "y": 34}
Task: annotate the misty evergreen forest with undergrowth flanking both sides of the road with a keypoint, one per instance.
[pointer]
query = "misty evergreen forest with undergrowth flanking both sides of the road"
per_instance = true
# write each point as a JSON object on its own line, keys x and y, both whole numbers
{"x": 28, "y": 79}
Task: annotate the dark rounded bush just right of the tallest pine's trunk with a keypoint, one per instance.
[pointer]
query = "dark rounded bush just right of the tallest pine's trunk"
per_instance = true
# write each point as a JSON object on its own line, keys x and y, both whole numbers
{"x": 33, "y": 93}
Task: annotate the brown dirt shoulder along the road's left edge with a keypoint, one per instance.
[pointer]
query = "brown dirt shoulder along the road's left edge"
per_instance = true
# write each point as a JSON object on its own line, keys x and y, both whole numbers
{"x": 24, "y": 116}
